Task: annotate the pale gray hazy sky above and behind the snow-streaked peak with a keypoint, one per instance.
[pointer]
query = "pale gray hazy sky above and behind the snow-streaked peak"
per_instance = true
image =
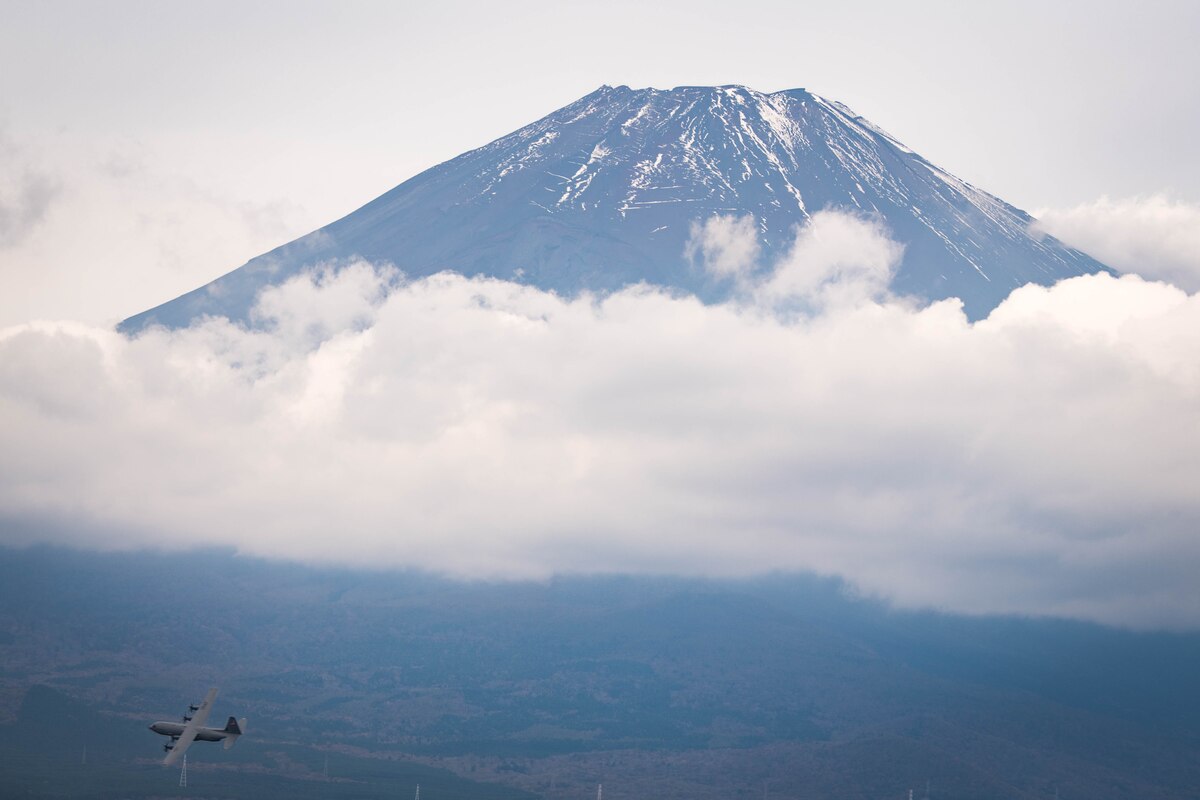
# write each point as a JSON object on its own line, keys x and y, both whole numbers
{"x": 147, "y": 148}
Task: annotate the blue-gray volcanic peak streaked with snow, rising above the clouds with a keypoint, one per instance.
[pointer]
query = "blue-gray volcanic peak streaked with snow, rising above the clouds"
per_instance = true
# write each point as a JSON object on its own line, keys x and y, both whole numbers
{"x": 603, "y": 194}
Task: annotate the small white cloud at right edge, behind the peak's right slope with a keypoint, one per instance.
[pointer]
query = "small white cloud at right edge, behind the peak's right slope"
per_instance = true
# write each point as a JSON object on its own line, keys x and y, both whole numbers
{"x": 1155, "y": 237}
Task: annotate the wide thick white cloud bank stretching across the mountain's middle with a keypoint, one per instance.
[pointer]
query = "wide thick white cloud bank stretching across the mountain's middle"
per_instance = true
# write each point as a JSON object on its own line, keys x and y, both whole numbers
{"x": 1041, "y": 461}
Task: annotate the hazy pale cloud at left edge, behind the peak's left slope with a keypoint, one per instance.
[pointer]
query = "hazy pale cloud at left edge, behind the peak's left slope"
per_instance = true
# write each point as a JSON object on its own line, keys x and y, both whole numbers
{"x": 103, "y": 228}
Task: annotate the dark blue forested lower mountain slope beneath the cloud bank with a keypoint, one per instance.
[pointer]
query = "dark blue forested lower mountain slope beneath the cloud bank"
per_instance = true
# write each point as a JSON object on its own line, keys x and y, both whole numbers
{"x": 664, "y": 688}
